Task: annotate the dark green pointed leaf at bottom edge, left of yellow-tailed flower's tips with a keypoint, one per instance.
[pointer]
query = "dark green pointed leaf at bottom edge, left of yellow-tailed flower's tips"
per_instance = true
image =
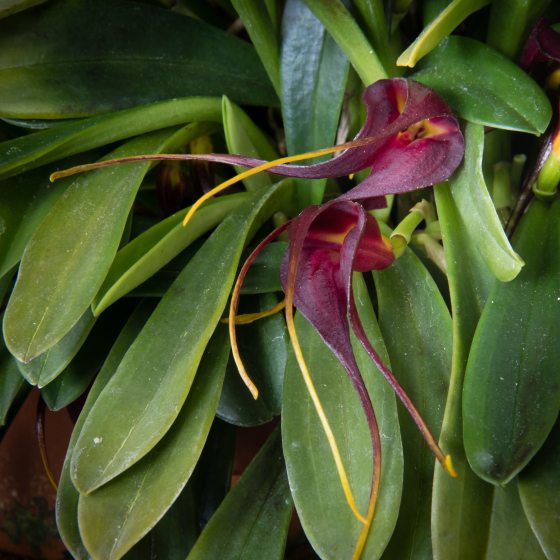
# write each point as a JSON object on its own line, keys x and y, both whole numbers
{"x": 252, "y": 522}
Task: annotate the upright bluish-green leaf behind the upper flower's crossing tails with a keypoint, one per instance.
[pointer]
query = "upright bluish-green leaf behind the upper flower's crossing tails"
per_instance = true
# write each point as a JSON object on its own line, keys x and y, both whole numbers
{"x": 314, "y": 72}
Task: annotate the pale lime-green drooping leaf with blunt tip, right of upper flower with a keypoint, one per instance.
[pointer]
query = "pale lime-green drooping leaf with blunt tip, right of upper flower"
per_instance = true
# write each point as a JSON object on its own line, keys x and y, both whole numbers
{"x": 477, "y": 210}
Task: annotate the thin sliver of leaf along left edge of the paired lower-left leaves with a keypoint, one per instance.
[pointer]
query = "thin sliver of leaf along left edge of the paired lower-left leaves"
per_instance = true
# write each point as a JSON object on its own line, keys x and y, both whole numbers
{"x": 67, "y": 496}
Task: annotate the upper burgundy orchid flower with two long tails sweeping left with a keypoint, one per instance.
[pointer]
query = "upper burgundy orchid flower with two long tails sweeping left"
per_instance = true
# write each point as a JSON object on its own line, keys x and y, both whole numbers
{"x": 410, "y": 140}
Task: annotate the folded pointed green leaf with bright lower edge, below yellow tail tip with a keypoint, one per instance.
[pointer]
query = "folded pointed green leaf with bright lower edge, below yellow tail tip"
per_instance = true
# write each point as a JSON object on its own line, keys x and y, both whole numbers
{"x": 151, "y": 250}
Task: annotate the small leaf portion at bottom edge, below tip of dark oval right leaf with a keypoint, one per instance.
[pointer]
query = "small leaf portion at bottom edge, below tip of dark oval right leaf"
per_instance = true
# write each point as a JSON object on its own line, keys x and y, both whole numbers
{"x": 509, "y": 528}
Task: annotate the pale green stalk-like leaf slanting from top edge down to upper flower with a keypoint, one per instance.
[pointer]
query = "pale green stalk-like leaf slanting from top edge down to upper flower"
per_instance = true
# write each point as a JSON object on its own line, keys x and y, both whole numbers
{"x": 347, "y": 33}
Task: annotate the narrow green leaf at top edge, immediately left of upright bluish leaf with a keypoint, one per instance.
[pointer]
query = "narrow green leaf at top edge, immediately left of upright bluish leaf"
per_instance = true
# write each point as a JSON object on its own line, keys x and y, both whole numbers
{"x": 259, "y": 26}
